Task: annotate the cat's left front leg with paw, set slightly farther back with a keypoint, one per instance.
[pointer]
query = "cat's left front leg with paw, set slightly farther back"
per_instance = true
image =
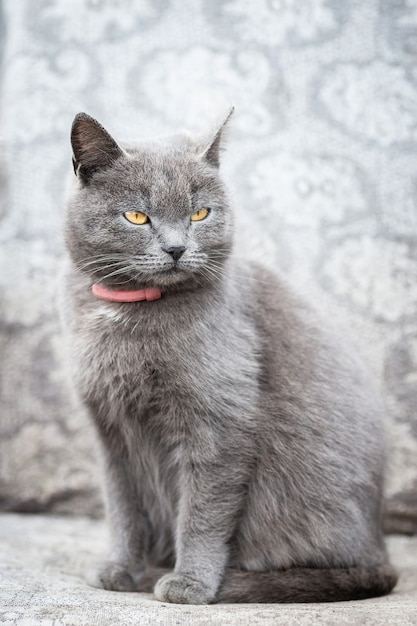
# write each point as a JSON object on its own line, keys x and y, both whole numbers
{"x": 126, "y": 563}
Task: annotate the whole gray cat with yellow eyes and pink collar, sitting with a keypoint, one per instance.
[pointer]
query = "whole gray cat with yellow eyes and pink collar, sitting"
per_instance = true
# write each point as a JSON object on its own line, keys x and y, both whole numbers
{"x": 242, "y": 445}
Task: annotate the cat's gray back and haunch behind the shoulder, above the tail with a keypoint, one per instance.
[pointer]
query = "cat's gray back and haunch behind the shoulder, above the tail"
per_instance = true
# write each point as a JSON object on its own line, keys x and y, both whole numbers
{"x": 319, "y": 437}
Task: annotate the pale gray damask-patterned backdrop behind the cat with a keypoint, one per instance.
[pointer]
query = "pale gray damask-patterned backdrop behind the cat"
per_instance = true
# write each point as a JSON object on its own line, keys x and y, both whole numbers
{"x": 321, "y": 159}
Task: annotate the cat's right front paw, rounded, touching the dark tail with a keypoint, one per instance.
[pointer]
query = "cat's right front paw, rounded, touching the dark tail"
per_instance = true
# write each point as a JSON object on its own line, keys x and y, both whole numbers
{"x": 182, "y": 589}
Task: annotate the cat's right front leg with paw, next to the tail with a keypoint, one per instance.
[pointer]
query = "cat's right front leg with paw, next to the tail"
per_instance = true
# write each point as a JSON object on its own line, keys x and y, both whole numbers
{"x": 209, "y": 506}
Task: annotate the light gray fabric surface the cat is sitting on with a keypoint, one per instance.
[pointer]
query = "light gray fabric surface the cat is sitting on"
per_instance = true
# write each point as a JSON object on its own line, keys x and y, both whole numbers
{"x": 42, "y": 559}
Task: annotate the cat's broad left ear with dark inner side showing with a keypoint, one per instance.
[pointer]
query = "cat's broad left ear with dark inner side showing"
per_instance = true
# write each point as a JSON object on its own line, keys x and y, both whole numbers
{"x": 93, "y": 148}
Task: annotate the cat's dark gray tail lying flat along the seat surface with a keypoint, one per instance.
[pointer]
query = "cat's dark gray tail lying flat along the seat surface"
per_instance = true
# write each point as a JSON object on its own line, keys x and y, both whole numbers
{"x": 307, "y": 585}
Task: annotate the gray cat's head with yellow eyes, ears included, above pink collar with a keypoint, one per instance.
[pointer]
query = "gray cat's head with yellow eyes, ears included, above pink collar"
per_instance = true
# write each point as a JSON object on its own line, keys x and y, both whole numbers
{"x": 157, "y": 214}
